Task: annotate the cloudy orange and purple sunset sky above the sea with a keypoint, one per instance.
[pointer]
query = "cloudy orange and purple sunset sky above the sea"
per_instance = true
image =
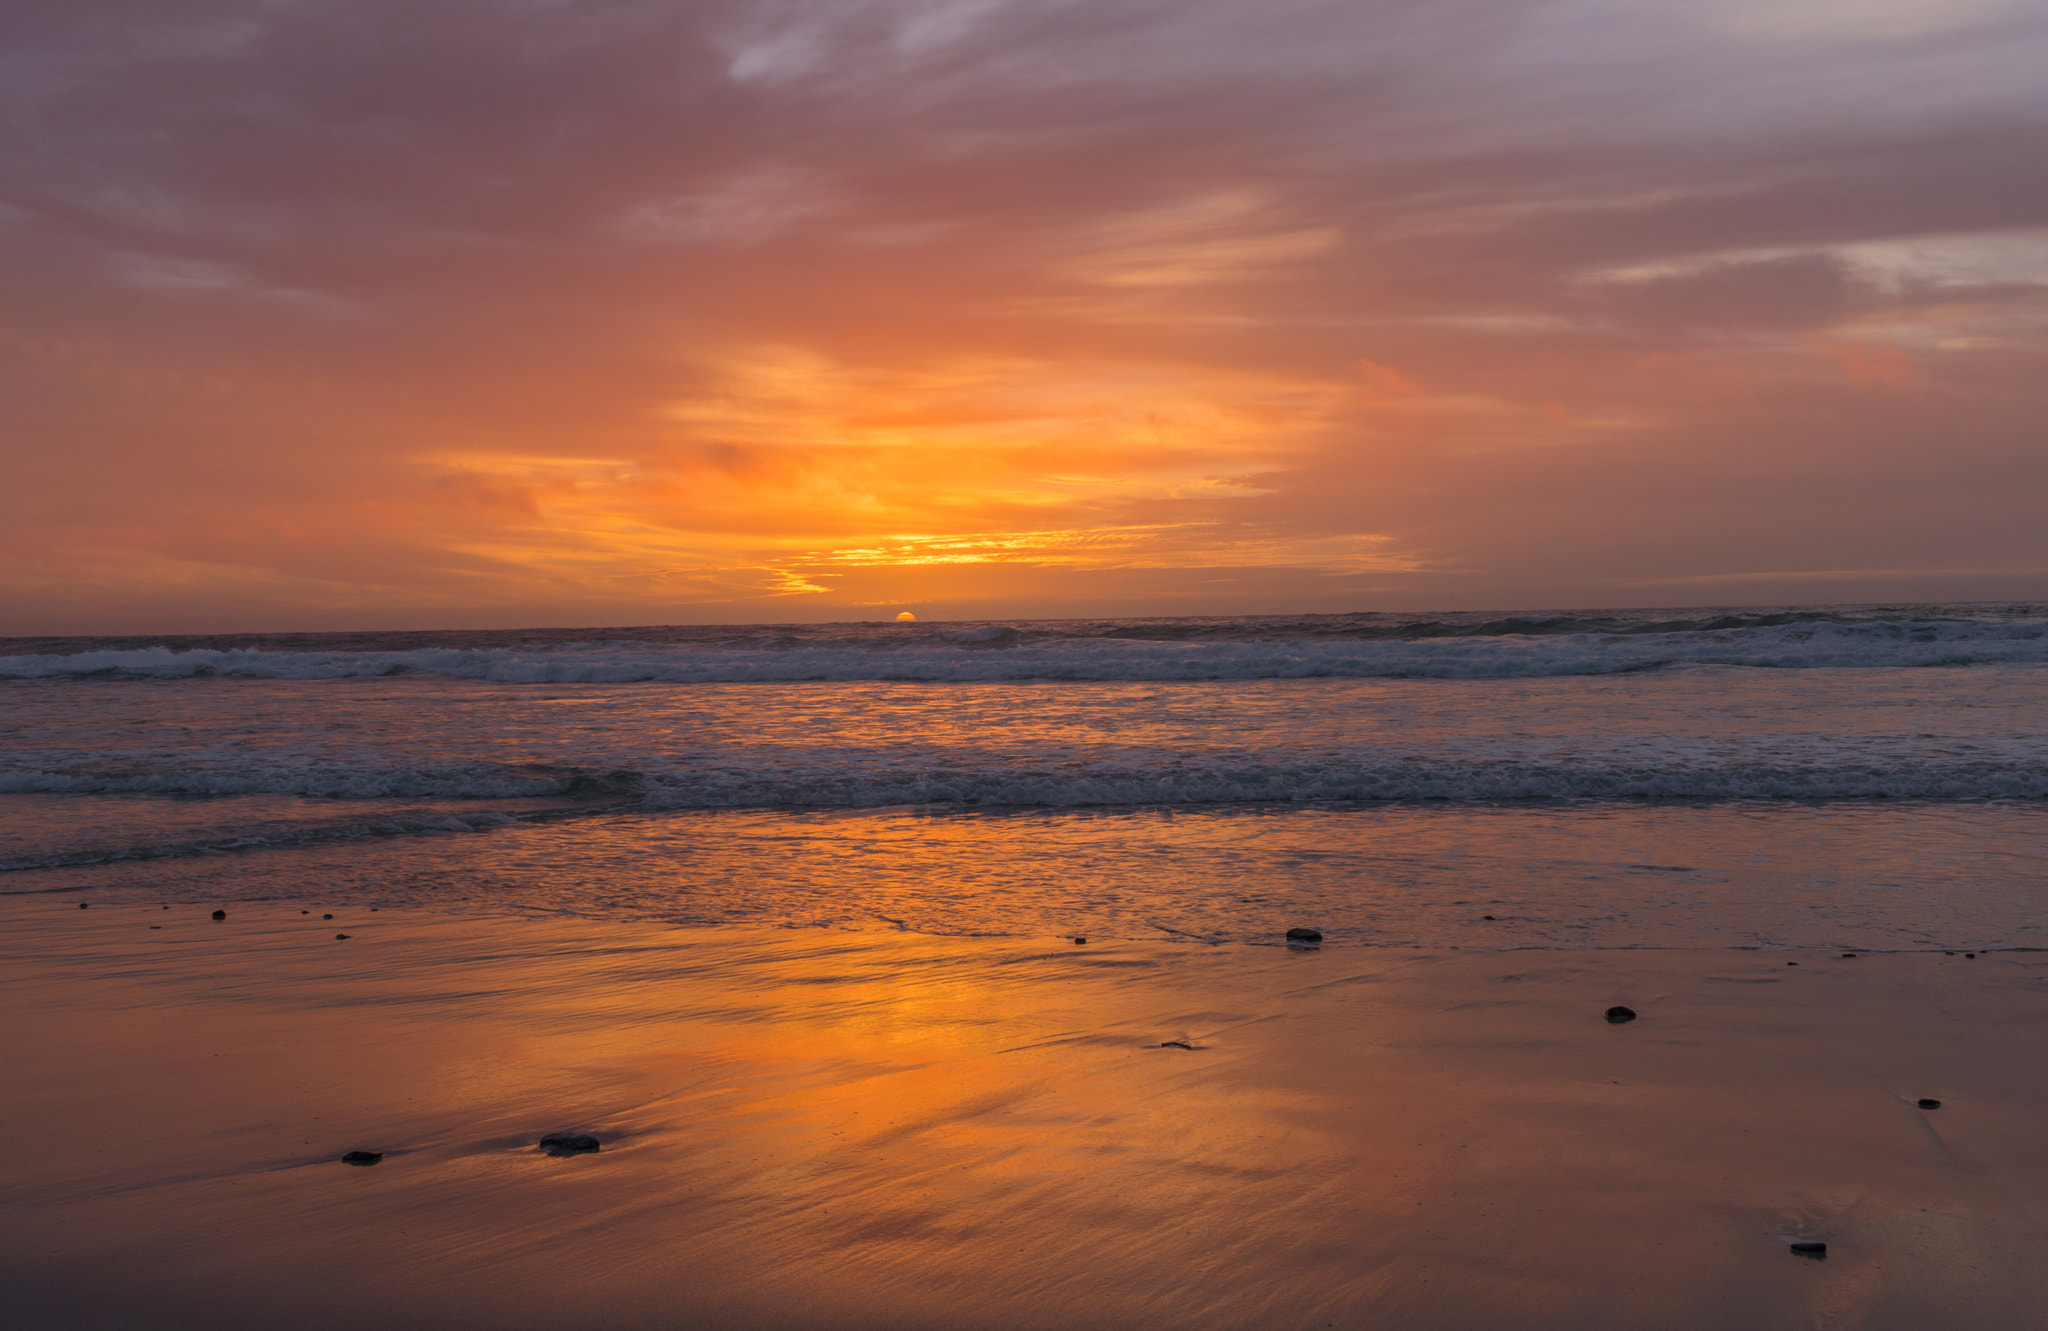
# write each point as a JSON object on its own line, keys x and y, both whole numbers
{"x": 376, "y": 314}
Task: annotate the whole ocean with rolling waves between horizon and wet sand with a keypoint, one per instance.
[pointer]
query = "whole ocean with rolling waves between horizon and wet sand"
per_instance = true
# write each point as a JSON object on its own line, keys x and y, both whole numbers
{"x": 1822, "y": 777}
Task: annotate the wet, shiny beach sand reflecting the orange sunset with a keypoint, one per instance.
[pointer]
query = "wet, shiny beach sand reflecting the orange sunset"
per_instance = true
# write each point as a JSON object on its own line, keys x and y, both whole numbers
{"x": 824, "y": 1129}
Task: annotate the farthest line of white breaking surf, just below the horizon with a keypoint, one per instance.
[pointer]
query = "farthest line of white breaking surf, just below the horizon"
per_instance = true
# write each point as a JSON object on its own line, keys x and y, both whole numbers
{"x": 1002, "y": 654}
